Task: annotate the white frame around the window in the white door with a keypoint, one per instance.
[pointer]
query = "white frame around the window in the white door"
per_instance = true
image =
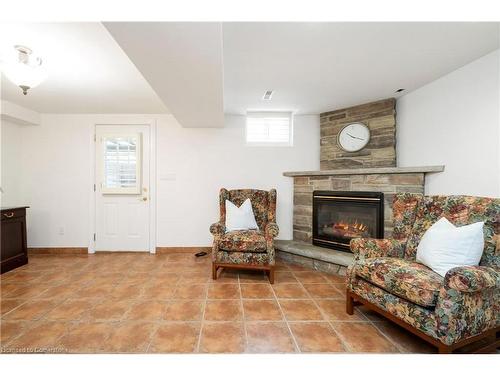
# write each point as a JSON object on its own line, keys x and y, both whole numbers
{"x": 138, "y": 166}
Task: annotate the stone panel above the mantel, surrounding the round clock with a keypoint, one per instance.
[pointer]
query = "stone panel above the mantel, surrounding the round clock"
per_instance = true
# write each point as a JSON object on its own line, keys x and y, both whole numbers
{"x": 380, "y": 117}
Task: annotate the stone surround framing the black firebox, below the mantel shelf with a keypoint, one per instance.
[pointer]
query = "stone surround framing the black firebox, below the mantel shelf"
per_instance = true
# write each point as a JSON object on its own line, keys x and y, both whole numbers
{"x": 389, "y": 184}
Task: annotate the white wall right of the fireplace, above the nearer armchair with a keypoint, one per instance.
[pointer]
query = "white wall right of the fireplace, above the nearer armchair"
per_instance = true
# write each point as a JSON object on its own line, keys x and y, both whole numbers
{"x": 455, "y": 121}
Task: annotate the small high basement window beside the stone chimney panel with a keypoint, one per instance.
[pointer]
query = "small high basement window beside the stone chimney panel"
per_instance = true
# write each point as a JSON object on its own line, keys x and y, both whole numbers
{"x": 269, "y": 129}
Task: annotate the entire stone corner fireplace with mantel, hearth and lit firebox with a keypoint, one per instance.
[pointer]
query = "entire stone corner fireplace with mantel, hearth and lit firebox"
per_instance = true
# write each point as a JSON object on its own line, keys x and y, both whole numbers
{"x": 373, "y": 171}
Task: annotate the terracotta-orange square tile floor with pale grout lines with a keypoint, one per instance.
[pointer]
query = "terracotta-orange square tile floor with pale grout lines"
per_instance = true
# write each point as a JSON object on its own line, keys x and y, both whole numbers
{"x": 141, "y": 303}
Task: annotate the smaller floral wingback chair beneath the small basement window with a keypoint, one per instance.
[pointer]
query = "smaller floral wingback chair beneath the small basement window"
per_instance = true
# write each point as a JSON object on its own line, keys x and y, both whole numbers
{"x": 250, "y": 249}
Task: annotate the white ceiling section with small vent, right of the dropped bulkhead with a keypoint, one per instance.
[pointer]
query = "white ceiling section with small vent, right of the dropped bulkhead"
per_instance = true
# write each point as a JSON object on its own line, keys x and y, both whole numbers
{"x": 318, "y": 67}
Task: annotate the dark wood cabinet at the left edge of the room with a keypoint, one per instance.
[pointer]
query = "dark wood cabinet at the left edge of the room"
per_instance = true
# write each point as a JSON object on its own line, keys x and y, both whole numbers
{"x": 14, "y": 250}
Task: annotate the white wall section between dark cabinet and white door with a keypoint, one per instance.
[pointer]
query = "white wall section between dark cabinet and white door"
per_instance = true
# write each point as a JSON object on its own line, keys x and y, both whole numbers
{"x": 55, "y": 167}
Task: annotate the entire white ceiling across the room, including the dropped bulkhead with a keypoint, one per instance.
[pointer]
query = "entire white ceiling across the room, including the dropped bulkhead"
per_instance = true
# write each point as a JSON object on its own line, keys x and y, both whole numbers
{"x": 199, "y": 71}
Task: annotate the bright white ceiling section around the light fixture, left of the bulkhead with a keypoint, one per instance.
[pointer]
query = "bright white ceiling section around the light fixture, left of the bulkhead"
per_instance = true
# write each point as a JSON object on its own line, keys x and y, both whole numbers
{"x": 87, "y": 71}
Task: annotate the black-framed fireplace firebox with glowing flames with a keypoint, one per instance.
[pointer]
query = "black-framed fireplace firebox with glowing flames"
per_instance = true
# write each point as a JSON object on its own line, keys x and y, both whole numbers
{"x": 339, "y": 216}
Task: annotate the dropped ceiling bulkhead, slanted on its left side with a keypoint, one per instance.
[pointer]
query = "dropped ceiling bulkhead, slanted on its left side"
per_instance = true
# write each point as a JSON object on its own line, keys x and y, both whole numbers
{"x": 182, "y": 61}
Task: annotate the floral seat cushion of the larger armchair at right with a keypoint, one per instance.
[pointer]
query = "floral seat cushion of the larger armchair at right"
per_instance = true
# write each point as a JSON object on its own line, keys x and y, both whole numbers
{"x": 404, "y": 278}
